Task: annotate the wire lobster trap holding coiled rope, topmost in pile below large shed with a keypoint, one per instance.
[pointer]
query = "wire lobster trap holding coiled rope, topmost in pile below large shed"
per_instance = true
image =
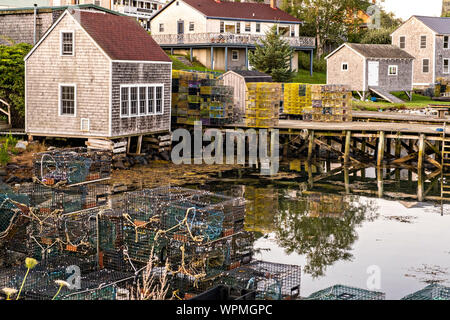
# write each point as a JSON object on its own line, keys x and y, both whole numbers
{"x": 72, "y": 166}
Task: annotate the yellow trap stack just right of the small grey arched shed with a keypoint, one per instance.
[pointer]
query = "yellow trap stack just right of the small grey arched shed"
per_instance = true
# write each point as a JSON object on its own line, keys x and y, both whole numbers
{"x": 263, "y": 104}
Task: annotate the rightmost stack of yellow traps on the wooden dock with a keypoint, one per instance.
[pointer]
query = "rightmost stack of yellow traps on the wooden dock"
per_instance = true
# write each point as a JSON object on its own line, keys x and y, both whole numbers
{"x": 329, "y": 103}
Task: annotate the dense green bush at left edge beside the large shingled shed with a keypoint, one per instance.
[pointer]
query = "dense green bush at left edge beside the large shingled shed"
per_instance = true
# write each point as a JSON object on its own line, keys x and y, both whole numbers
{"x": 12, "y": 79}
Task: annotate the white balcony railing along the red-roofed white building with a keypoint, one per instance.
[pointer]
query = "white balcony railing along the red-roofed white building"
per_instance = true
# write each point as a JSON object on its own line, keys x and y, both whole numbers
{"x": 226, "y": 38}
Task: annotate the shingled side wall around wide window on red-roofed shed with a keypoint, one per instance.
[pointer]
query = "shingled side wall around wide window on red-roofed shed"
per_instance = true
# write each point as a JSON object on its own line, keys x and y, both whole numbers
{"x": 140, "y": 73}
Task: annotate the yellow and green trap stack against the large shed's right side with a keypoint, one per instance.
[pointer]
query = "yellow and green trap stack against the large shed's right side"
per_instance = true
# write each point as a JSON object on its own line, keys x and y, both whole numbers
{"x": 198, "y": 96}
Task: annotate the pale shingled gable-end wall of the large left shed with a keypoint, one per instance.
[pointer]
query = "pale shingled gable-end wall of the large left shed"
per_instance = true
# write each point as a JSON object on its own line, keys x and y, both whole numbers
{"x": 88, "y": 69}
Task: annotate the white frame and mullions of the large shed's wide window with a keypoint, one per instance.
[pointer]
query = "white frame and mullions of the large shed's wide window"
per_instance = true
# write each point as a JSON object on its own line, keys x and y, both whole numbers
{"x": 138, "y": 86}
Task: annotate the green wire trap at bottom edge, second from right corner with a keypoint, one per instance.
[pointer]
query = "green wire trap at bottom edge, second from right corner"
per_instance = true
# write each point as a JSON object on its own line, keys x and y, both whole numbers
{"x": 340, "y": 292}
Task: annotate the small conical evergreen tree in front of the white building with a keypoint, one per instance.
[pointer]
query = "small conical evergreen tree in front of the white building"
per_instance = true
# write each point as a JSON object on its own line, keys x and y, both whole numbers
{"x": 273, "y": 56}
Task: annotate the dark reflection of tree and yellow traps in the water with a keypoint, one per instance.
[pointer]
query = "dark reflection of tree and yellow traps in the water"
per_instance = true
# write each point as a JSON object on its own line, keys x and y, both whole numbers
{"x": 319, "y": 226}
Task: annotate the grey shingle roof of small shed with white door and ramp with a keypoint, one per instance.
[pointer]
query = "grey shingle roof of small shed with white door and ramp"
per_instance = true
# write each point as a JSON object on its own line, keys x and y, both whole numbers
{"x": 380, "y": 51}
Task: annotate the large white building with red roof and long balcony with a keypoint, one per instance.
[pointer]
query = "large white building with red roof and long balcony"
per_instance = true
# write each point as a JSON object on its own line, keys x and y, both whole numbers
{"x": 220, "y": 34}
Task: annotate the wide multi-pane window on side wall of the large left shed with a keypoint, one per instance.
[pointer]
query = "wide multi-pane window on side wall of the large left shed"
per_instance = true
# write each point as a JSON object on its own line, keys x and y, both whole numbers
{"x": 141, "y": 100}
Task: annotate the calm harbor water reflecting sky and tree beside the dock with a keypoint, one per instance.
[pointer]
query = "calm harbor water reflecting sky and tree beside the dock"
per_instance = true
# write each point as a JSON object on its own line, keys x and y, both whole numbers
{"x": 357, "y": 227}
